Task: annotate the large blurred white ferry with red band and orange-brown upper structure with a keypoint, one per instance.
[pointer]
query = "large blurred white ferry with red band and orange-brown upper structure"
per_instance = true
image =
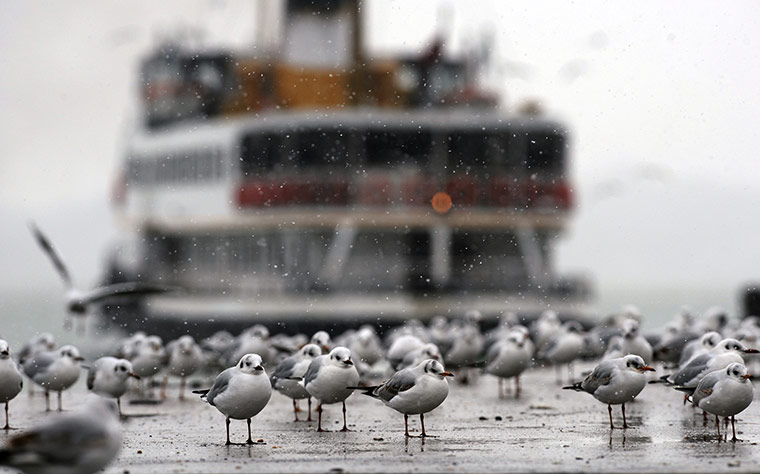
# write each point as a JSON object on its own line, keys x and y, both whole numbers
{"x": 316, "y": 187}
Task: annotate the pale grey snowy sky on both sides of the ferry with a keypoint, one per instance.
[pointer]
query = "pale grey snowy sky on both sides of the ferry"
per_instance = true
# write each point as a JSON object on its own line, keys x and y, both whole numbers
{"x": 661, "y": 101}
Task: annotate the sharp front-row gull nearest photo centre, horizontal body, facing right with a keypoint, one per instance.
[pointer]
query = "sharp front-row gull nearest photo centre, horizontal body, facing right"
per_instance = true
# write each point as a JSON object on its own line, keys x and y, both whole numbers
{"x": 413, "y": 391}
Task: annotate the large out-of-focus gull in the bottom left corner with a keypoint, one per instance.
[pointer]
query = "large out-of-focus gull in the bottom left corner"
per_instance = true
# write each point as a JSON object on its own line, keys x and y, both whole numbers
{"x": 80, "y": 442}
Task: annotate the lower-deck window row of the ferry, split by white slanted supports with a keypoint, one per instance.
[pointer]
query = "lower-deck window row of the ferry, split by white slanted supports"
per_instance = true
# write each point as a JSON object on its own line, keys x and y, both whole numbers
{"x": 377, "y": 261}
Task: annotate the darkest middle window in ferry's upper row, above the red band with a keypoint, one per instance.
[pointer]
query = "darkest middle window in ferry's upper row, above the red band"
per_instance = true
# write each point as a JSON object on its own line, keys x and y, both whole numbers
{"x": 393, "y": 148}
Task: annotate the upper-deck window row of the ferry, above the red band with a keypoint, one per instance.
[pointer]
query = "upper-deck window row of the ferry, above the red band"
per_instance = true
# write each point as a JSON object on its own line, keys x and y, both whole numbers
{"x": 470, "y": 152}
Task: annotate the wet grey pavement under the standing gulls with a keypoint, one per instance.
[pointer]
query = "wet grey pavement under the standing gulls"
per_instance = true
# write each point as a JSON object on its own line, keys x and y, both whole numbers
{"x": 546, "y": 429}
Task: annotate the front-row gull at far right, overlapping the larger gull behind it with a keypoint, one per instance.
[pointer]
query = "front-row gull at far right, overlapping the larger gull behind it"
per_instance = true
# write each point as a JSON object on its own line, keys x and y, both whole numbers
{"x": 725, "y": 392}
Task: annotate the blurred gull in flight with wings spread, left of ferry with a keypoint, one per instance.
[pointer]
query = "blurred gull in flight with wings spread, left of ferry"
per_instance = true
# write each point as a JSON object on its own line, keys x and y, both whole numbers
{"x": 78, "y": 302}
